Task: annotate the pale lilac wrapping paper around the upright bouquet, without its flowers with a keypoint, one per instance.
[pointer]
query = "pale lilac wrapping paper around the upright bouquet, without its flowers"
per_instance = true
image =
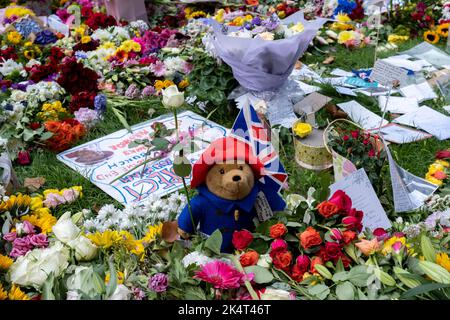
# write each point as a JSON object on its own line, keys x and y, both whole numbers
{"x": 259, "y": 64}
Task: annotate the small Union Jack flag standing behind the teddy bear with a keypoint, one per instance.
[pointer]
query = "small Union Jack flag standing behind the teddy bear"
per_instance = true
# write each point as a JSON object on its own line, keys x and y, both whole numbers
{"x": 249, "y": 129}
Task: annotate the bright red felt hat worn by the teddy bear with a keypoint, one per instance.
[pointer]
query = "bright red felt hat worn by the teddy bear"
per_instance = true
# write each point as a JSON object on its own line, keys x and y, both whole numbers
{"x": 225, "y": 150}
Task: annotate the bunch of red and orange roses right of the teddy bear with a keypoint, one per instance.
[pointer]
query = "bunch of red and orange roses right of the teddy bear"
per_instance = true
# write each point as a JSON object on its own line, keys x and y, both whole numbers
{"x": 315, "y": 246}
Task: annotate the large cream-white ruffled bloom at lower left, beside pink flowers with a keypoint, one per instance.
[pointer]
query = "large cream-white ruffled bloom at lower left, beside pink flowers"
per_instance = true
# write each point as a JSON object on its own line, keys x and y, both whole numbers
{"x": 35, "y": 267}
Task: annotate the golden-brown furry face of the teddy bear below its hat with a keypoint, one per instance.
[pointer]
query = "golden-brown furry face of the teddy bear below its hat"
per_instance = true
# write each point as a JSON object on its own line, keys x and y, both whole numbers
{"x": 230, "y": 181}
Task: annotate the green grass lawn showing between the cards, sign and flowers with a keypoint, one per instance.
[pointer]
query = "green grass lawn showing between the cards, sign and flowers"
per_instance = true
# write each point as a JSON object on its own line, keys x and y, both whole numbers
{"x": 414, "y": 157}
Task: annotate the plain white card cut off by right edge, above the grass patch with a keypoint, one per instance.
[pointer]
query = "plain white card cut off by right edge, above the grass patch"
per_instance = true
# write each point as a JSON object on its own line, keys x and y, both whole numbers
{"x": 428, "y": 120}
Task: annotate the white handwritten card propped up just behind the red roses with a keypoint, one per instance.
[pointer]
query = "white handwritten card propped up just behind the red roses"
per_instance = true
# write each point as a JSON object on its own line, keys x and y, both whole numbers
{"x": 358, "y": 187}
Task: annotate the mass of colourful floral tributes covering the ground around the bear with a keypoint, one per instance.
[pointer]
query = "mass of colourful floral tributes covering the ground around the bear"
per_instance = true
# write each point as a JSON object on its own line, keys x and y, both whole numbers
{"x": 57, "y": 88}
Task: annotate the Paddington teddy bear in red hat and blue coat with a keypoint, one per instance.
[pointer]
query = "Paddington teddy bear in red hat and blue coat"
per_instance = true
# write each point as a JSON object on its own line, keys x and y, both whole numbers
{"x": 227, "y": 179}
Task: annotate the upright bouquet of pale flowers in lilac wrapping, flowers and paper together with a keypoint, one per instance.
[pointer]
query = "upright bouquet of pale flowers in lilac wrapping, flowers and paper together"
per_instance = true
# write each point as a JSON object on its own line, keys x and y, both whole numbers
{"x": 258, "y": 63}
